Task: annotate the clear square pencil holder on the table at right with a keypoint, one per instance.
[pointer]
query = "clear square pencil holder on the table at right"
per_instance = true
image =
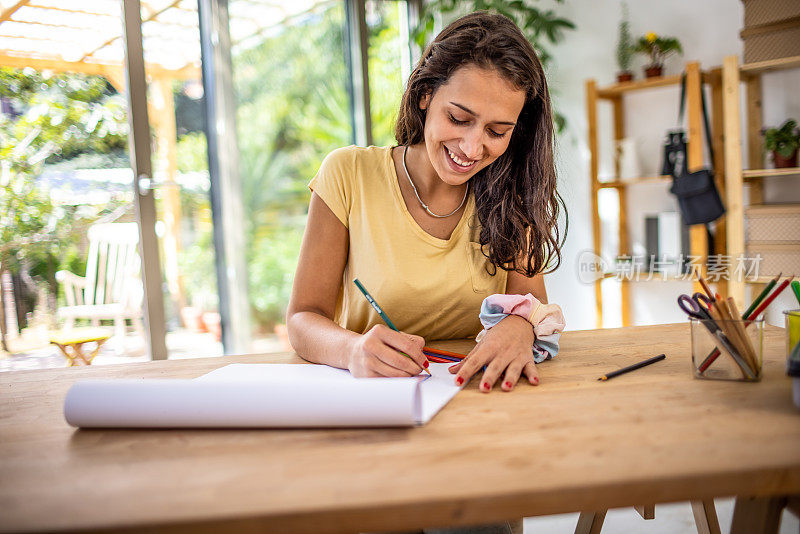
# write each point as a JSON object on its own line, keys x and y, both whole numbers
{"x": 727, "y": 350}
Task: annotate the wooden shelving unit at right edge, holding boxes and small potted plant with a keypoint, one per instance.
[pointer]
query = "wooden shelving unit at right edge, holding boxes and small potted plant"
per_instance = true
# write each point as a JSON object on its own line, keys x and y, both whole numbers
{"x": 733, "y": 74}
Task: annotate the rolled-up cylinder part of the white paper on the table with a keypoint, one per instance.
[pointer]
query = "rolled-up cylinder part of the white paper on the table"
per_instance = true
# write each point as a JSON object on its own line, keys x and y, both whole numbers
{"x": 170, "y": 403}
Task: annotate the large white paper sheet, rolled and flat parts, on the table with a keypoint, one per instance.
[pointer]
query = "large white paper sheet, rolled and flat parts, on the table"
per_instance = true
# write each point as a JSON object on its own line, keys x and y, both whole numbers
{"x": 262, "y": 396}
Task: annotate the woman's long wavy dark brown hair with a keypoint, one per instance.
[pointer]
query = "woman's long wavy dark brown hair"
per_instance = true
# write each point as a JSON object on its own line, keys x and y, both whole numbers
{"x": 515, "y": 197}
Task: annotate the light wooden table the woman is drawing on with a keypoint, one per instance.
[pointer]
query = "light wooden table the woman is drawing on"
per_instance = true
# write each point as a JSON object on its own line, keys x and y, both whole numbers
{"x": 570, "y": 444}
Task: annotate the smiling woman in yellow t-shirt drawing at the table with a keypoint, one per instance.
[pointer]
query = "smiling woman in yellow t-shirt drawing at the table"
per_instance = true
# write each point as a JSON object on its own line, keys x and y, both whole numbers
{"x": 463, "y": 208}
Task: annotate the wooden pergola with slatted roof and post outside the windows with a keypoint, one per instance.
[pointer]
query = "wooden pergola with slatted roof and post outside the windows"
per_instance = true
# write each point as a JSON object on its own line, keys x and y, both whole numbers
{"x": 86, "y": 36}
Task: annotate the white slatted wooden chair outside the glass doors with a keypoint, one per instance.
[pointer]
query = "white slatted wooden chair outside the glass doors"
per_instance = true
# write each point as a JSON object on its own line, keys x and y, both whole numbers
{"x": 111, "y": 289}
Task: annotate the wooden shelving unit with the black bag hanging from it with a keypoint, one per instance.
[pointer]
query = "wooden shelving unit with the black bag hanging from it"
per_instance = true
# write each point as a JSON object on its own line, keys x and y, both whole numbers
{"x": 615, "y": 94}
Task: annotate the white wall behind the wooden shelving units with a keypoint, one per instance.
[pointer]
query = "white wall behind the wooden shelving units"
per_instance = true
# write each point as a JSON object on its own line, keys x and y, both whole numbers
{"x": 708, "y": 31}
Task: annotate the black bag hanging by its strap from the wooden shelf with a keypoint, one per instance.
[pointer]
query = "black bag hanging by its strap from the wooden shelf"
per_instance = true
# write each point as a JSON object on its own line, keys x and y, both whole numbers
{"x": 697, "y": 194}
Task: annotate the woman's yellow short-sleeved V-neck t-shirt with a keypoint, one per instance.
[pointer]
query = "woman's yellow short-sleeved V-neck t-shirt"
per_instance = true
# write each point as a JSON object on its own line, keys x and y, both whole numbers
{"x": 427, "y": 286}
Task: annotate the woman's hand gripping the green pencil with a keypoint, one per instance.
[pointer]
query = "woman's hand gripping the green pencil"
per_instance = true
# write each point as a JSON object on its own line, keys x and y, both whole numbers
{"x": 379, "y": 352}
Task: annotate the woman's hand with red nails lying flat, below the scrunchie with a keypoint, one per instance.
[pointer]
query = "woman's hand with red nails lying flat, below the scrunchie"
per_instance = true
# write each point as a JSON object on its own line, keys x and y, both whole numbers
{"x": 507, "y": 352}
